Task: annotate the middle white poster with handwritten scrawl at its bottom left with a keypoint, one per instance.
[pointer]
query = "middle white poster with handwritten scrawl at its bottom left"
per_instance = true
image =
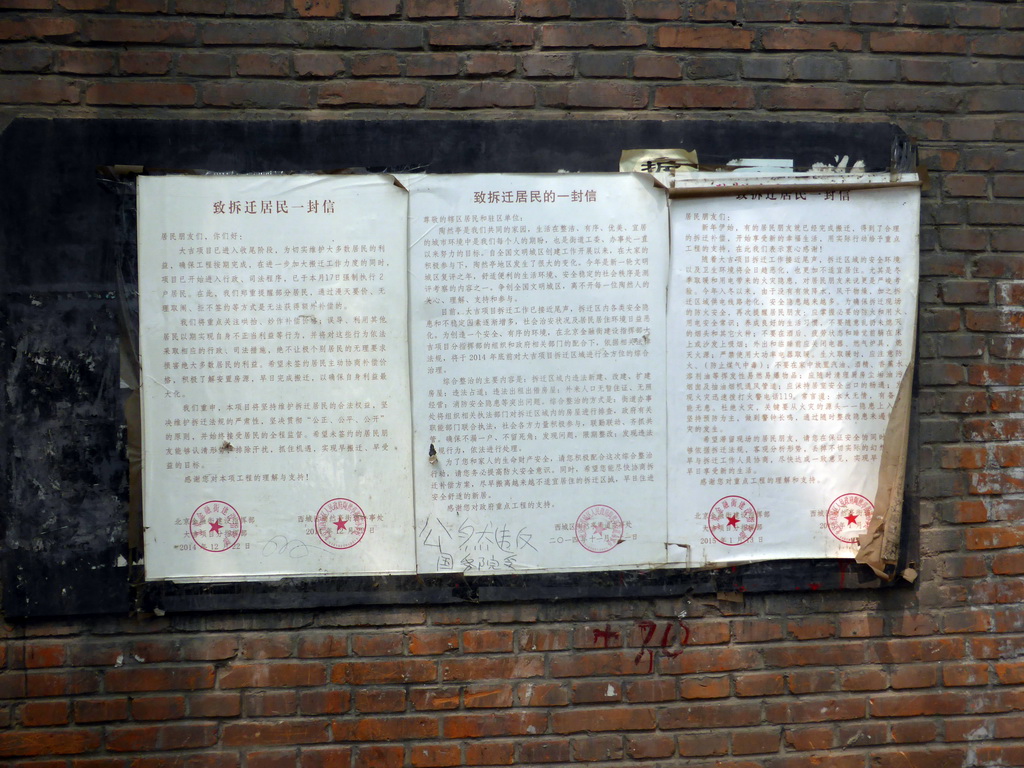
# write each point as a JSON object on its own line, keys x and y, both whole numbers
{"x": 538, "y": 347}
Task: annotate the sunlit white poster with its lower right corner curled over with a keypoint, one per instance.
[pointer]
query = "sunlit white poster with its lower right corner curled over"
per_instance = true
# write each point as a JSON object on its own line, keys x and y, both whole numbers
{"x": 791, "y": 324}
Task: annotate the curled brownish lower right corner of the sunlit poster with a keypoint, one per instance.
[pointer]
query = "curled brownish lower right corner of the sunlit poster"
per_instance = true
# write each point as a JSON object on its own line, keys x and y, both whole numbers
{"x": 880, "y": 546}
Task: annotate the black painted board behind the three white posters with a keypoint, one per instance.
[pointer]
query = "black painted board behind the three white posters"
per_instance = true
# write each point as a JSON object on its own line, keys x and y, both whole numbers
{"x": 67, "y": 254}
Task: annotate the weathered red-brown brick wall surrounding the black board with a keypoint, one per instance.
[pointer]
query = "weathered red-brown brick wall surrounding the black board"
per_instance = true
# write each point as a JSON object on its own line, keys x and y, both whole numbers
{"x": 928, "y": 676}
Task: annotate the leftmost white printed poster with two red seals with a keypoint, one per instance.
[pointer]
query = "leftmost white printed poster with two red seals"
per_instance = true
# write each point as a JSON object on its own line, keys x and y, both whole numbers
{"x": 275, "y": 376}
